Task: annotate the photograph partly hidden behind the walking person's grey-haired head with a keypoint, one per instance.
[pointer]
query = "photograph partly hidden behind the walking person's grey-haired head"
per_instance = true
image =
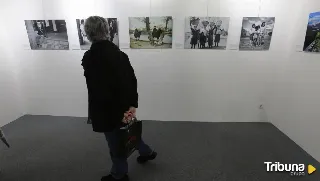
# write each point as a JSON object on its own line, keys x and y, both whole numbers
{"x": 85, "y": 44}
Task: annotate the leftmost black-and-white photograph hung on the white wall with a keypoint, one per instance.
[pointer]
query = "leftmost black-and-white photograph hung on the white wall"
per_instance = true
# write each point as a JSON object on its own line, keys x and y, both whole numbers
{"x": 47, "y": 34}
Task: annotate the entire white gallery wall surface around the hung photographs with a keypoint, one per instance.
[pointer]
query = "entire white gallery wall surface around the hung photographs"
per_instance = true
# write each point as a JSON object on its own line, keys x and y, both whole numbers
{"x": 175, "y": 84}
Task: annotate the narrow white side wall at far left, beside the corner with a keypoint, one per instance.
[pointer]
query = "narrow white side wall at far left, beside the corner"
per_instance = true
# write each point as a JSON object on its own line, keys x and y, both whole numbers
{"x": 11, "y": 101}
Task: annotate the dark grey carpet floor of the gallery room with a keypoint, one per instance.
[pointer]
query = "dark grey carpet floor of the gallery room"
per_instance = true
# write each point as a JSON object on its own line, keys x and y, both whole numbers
{"x": 48, "y": 148}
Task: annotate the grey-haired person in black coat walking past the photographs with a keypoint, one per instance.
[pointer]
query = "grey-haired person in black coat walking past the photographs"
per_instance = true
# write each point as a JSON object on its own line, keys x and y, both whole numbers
{"x": 112, "y": 95}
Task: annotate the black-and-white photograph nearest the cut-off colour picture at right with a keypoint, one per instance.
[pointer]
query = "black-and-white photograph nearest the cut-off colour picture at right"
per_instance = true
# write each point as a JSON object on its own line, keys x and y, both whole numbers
{"x": 256, "y": 33}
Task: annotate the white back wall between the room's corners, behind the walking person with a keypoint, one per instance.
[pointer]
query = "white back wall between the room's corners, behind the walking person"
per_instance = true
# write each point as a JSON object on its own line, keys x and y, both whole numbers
{"x": 174, "y": 84}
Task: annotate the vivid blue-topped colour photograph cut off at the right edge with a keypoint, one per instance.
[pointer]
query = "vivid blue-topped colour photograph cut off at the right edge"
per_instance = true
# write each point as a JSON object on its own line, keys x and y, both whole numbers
{"x": 312, "y": 40}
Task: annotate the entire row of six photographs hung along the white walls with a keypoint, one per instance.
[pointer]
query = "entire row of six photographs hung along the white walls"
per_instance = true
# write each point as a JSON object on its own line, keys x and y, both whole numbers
{"x": 156, "y": 33}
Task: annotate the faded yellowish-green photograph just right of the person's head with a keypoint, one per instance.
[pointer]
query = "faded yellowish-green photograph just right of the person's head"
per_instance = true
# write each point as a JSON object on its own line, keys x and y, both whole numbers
{"x": 150, "y": 32}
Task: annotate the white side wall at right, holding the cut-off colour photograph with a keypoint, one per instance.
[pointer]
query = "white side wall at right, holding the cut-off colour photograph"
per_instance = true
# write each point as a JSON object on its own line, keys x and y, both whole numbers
{"x": 294, "y": 101}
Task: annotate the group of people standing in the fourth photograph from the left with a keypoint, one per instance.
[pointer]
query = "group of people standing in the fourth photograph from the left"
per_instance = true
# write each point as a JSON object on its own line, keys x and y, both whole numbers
{"x": 211, "y": 33}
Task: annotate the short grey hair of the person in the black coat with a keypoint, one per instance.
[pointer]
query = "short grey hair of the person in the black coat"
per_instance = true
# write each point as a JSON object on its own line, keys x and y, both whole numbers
{"x": 96, "y": 28}
